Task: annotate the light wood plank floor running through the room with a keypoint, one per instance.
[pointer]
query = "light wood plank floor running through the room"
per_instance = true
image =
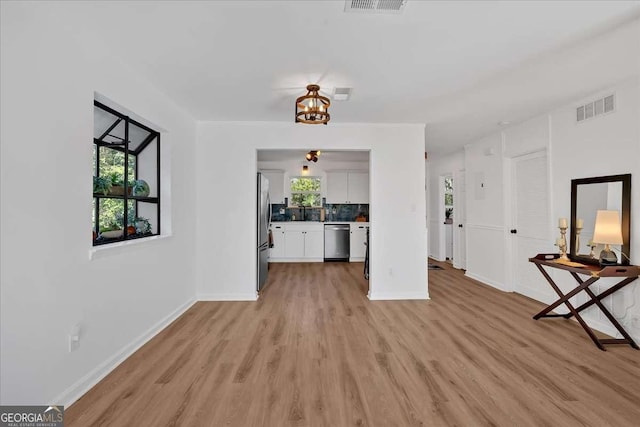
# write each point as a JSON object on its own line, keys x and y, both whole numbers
{"x": 313, "y": 351}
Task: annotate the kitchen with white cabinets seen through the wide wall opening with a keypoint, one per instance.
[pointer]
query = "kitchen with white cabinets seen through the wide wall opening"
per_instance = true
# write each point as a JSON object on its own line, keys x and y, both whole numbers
{"x": 313, "y": 190}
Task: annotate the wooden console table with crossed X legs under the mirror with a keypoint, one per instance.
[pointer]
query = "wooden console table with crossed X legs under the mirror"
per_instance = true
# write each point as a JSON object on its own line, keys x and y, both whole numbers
{"x": 627, "y": 274}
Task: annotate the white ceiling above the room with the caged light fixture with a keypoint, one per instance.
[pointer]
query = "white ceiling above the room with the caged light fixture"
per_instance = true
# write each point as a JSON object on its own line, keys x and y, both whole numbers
{"x": 458, "y": 67}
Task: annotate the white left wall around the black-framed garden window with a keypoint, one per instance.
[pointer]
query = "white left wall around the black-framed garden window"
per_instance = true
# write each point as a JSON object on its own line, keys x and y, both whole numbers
{"x": 49, "y": 284}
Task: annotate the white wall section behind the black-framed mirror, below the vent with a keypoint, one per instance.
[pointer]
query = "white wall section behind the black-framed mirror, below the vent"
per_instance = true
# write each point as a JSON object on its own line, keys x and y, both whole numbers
{"x": 605, "y": 145}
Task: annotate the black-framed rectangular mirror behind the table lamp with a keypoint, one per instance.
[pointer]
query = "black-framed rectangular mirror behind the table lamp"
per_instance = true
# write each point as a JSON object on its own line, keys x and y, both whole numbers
{"x": 588, "y": 195}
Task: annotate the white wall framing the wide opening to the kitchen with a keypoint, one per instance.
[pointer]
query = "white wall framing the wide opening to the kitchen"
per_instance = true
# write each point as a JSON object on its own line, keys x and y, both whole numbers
{"x": 226, "y": 157}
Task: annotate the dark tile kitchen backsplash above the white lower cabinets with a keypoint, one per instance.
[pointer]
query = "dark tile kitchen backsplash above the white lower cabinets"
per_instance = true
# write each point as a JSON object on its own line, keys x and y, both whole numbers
{"x": 337, "y": 212}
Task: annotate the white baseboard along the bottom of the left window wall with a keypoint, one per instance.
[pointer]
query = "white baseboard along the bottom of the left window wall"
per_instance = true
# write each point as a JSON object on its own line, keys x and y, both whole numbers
{"x": 84, "y": 384}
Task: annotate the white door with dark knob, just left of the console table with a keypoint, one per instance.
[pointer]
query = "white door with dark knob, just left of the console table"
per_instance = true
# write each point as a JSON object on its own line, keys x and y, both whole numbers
{"x": 530, "y": 228}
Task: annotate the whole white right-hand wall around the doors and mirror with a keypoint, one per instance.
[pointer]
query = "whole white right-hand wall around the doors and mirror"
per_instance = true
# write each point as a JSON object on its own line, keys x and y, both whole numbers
{"x": 606, "y": 145}
